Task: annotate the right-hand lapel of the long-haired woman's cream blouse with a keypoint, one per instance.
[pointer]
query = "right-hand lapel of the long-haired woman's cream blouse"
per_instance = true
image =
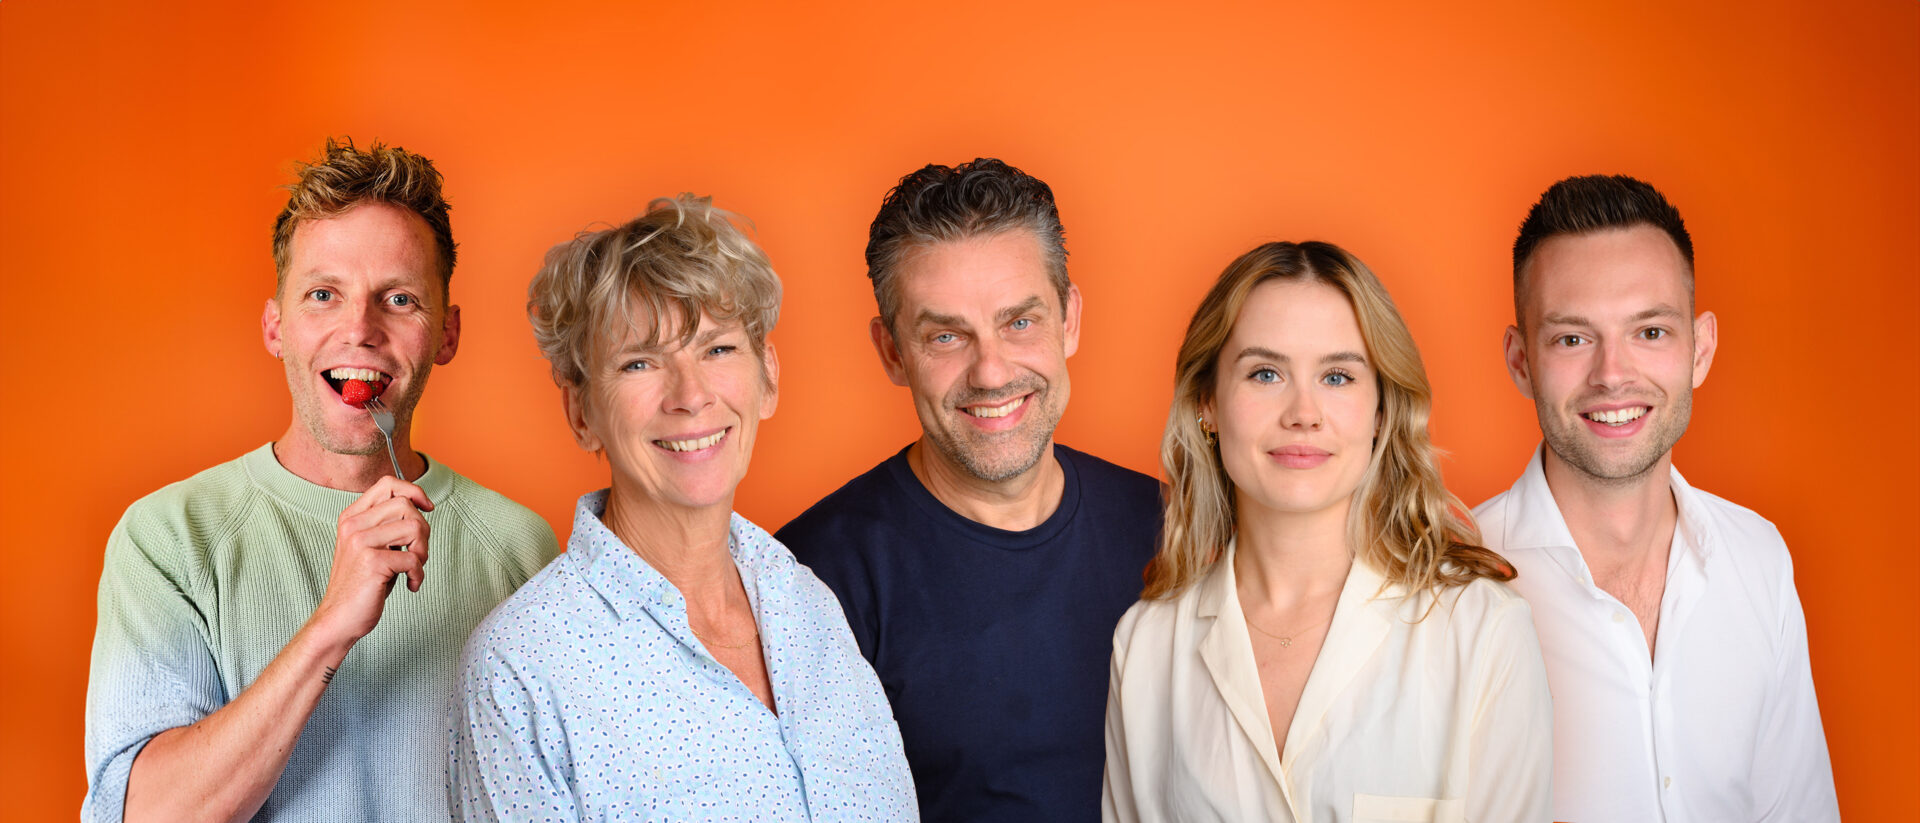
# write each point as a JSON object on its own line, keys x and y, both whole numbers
{"x": 1360, "y": 624}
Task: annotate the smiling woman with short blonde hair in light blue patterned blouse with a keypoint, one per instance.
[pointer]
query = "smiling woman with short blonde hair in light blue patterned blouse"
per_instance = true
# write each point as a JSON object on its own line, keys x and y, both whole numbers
{"x": 677, "y": 663}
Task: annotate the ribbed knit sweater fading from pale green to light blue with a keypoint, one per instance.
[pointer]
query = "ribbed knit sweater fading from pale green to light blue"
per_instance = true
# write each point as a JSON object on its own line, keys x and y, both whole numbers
{"x": 206, "y": 582}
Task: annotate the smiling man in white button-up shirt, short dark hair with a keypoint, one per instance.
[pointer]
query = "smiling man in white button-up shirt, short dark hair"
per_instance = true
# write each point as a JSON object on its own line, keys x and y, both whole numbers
{"x": 1673, "y": 636}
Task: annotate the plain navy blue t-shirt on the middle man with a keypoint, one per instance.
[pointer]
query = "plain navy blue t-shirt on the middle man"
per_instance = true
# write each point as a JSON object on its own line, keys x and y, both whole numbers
{"x": 994, "y": 646}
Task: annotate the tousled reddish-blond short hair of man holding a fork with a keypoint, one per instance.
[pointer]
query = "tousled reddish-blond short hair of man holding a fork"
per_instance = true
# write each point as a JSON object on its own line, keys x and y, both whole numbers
{"x": 347, "y": 177}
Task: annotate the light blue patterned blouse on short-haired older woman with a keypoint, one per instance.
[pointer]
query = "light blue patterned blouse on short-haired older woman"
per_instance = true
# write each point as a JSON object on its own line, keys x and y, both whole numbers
{"x": 588, "y": 697}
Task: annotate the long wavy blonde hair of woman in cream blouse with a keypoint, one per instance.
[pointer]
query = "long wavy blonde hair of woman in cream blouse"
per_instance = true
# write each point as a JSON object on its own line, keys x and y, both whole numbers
{"x": 1406, "y": 525}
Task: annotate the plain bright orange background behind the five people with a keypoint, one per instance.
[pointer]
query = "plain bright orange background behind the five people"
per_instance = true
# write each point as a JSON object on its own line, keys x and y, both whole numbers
{"x": 141, "y": 149}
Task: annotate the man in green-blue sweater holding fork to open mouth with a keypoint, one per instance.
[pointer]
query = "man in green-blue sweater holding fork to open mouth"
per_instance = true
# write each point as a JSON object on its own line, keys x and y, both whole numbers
{"x": 249, "y": 661}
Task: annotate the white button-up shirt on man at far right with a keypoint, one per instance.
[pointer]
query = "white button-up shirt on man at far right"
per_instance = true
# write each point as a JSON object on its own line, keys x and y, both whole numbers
{"x": 1721, "y": 722}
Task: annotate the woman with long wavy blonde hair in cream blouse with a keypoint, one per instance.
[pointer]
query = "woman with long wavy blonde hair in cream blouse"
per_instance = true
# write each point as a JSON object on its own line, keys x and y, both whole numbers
{"x": 1322, "y": 638}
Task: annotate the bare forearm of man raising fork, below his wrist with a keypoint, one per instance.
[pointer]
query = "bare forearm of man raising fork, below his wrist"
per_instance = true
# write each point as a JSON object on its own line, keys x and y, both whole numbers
{"x": 224, "y": 766}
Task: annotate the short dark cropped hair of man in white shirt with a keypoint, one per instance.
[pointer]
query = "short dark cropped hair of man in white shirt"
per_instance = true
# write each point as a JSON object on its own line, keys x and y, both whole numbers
{"x": 1593, "y": 204}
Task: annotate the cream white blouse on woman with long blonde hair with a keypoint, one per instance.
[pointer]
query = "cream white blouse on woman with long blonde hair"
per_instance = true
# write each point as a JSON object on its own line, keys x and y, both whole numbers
{"x": 1403, "y": 718}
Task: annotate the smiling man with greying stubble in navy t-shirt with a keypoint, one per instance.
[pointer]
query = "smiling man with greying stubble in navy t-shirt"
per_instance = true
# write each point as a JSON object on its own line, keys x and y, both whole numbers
{"x": 984, "y": 567}
